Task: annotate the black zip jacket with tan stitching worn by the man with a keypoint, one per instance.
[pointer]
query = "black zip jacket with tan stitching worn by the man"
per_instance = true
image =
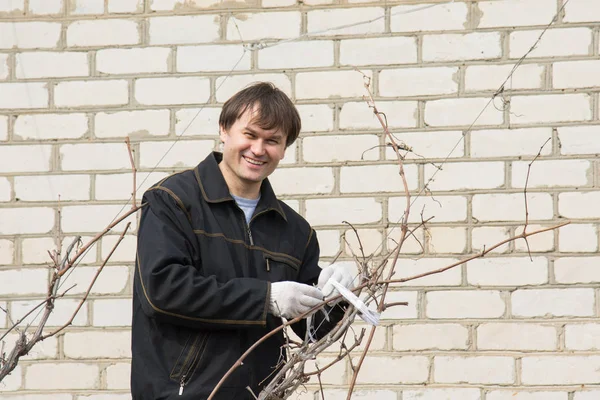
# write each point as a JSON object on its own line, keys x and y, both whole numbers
{"x": 202, "y": 283}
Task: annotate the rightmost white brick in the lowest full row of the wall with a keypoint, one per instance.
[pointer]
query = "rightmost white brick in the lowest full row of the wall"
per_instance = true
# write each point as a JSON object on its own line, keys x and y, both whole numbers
{"x": 559, "y": 370}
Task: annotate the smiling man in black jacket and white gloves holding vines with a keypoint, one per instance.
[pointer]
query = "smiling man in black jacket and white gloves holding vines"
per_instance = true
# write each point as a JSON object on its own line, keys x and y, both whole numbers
{"x": 220, "y": 261}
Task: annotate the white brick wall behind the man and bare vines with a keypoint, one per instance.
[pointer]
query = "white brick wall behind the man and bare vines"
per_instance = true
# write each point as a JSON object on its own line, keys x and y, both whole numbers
{"x": 77, "y": 77}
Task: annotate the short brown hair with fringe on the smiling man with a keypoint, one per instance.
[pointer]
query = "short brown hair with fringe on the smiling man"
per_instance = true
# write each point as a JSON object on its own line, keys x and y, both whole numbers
{"x": 275, "y": 110}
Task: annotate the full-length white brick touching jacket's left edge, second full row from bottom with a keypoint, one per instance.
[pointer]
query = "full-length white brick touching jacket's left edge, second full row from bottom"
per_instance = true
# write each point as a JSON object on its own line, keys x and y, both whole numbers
{"x": 97, "y": 344}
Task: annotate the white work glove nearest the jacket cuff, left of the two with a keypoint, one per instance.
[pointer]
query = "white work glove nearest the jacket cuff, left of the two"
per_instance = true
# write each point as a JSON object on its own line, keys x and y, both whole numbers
{"x": 291, "y": 299}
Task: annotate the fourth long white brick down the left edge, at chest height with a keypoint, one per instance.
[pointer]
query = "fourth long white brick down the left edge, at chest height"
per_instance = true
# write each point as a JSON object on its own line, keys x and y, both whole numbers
{"x": 17, "y": 221}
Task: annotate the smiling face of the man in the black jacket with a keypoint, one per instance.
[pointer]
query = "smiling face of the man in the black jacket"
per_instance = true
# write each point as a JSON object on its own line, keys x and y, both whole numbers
{"x": 250, "y": 154}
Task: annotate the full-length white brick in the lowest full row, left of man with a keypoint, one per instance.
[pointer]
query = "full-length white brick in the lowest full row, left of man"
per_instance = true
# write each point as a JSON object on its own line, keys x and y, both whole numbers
{"x": 62, "y": 376}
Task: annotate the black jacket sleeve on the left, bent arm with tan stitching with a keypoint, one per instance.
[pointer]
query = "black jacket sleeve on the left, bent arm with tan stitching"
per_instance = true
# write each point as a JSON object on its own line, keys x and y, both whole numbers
{"x": 171, "y": 289}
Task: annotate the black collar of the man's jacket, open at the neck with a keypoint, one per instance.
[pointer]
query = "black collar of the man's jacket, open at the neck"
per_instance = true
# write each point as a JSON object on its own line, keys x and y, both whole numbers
{"x": 215, "y": 190}
